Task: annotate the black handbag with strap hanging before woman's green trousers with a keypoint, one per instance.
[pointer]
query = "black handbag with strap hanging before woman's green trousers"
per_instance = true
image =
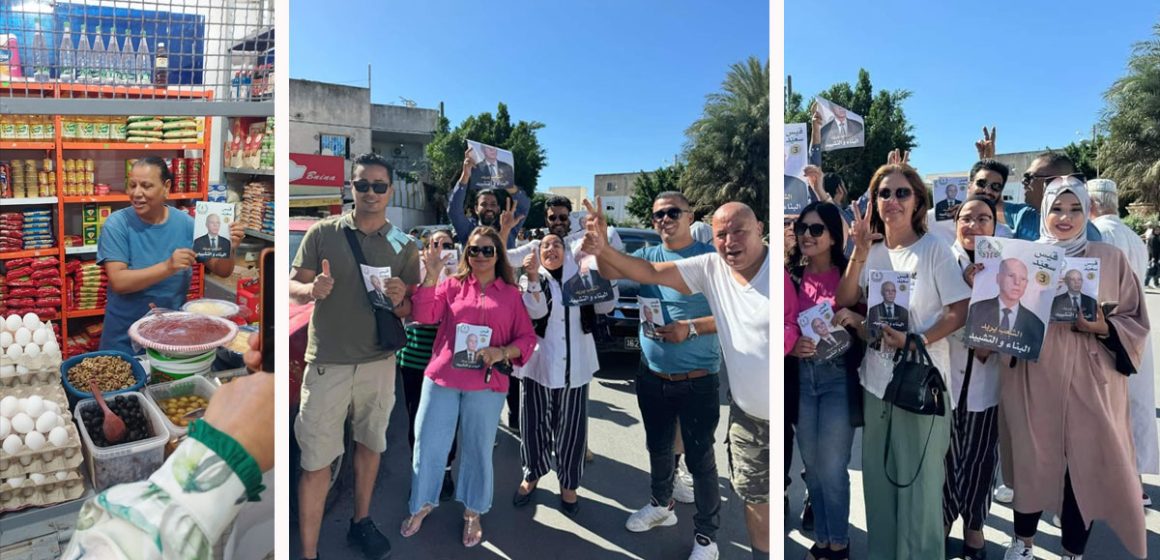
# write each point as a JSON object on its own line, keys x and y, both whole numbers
{"x": 917, "y": 388}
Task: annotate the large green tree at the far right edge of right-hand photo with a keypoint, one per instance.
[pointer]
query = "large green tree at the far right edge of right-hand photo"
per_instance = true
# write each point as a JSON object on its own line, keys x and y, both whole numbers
{"x": 1132, "y": 119}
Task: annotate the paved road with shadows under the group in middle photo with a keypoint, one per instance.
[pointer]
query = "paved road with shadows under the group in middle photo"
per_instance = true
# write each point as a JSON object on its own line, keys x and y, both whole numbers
{"x": 614, "y": 486}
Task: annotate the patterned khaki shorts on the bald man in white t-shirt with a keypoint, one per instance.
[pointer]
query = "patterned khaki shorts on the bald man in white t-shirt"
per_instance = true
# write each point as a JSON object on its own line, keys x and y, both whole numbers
{"x": 749, "y": 456}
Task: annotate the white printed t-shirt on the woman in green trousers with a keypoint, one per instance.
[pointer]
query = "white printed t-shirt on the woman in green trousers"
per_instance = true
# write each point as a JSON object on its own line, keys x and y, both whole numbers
{"x": 937, "y": 282}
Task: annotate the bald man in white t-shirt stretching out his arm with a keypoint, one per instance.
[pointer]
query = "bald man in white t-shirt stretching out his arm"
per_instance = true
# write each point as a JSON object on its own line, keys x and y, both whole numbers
{"x": 736, "y": 282}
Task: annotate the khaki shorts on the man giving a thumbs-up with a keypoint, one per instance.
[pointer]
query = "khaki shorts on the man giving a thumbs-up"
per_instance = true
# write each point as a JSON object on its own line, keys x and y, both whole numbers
{"x": 329, "y": 392}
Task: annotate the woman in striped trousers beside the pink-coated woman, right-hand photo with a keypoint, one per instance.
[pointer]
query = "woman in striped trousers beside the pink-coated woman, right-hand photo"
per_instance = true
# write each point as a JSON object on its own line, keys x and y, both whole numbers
{"x": 974, "y": 452}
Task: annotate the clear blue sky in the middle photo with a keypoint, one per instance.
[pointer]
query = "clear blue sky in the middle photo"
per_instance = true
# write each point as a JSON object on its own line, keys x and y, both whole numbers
{"x": 617, "y": 83}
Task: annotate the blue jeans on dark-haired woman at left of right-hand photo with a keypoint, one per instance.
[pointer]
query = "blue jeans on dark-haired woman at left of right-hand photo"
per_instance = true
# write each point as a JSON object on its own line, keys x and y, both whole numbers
{"x": 825, "y": 437}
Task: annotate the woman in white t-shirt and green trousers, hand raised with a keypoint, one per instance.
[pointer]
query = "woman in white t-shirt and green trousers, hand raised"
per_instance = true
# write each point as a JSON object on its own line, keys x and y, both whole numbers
{"x": 893, "y": 238}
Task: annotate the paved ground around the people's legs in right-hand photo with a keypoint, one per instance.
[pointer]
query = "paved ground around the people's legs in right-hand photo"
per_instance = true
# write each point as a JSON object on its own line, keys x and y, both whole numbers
{"x": 1103, "y": 546}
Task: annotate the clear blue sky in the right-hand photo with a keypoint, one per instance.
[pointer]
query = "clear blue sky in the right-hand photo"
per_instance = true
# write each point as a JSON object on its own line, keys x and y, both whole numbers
{"x": 1036, "y": 70}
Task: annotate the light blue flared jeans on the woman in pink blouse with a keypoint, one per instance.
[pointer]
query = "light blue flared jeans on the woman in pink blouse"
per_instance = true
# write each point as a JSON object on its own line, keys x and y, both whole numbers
{"x": 478, "y": 416}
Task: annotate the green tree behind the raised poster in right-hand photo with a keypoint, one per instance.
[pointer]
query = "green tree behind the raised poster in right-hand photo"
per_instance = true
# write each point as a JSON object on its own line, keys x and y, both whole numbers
{"x": 887, "y": 129}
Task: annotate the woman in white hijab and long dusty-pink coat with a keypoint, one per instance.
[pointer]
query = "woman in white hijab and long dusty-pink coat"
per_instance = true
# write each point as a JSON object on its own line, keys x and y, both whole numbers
{"x": 1064, "y": 431}
